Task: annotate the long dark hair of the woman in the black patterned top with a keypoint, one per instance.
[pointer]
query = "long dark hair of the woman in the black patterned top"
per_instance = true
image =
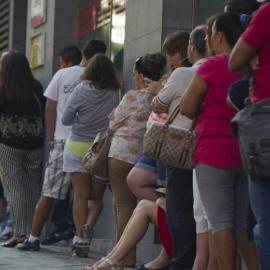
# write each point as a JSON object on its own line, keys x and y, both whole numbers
{"x": 17, "y": 80}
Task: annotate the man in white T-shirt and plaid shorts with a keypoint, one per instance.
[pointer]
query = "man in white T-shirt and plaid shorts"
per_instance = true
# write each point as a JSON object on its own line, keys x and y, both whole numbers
{"x": 56, "y": 183}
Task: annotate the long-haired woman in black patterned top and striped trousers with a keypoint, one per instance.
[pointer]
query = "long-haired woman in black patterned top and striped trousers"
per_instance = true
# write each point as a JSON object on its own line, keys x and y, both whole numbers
{"x": 21, "y": 139}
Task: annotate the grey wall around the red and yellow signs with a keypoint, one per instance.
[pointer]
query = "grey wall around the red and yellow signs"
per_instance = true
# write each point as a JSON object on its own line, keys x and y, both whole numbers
{"x": 61, "y": 30}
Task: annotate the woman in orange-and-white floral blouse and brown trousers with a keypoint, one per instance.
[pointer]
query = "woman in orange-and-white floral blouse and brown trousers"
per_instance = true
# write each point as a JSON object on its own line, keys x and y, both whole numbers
{"x": 128, "y": 122}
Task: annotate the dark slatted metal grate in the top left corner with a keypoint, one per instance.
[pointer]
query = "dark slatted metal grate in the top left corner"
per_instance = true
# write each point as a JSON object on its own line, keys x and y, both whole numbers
{"x": 4, "y": 24}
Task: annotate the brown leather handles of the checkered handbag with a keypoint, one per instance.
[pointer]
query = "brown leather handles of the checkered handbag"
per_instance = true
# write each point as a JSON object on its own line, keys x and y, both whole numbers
{"x": 164, "y": 128}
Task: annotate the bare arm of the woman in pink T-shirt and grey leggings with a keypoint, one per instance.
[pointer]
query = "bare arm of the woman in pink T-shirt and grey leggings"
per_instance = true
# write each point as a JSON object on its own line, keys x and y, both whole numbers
{"x": 193, "y": 97}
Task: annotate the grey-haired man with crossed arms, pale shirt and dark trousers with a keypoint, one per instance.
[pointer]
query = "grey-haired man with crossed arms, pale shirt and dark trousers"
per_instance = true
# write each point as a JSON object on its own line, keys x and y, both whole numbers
{"x": 179, "y": 190}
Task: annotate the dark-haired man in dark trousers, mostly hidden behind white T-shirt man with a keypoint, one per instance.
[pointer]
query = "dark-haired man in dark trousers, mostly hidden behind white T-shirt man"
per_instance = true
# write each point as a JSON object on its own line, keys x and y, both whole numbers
{"x": 61, "y": 216}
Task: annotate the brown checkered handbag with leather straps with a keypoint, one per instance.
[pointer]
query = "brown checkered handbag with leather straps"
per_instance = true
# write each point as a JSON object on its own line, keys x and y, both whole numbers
{"x": 170, "y": 144}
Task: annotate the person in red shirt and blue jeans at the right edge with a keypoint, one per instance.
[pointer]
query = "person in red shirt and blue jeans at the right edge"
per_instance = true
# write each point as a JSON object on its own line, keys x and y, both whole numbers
{"x": 255, "y": 41}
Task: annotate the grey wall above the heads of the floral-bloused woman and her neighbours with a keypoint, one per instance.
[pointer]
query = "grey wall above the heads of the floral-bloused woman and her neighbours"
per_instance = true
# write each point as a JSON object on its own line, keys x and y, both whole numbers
{"x": 149, "y": 22}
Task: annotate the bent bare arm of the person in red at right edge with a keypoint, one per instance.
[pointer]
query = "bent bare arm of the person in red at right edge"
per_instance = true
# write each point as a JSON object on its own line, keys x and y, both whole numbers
{"x": 241, "y": 57}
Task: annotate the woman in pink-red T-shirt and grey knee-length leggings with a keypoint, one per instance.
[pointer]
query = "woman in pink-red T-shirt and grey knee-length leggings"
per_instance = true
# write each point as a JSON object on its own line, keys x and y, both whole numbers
{"x": 217, "y": 159}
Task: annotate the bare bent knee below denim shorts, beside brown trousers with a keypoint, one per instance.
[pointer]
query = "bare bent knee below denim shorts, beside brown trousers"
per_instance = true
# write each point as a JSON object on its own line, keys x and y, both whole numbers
{"x": 143, "y": 183}
